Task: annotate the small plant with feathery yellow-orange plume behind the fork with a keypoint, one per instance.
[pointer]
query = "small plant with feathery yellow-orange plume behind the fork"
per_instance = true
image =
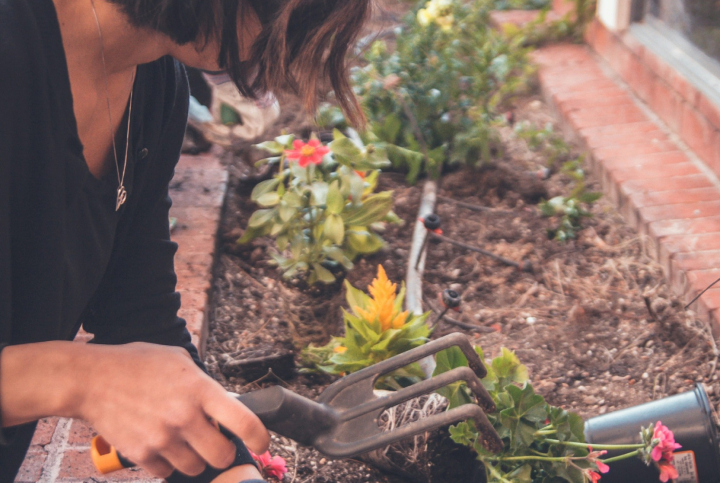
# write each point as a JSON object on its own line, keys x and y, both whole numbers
{"x": 376, "y": 328}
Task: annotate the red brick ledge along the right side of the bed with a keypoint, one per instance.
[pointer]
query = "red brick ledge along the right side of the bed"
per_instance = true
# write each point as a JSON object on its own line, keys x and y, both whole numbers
{"x": 661, "y": 187}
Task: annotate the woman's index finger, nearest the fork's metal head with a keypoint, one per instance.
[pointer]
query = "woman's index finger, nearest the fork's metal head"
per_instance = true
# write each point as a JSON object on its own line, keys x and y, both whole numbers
{"x": 238, "y": 419}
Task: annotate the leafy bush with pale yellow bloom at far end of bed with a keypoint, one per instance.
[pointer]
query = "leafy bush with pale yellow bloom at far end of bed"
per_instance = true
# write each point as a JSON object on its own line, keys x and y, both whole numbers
{"x": 432, "y": 100}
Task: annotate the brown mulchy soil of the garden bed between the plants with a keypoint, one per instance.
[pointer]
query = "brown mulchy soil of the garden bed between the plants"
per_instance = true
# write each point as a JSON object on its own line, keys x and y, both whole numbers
{"x": 595, "y": 322}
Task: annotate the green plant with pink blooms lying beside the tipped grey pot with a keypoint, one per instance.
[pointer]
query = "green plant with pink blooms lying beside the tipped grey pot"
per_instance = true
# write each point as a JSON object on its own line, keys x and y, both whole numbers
{"x": 542, "y": 443}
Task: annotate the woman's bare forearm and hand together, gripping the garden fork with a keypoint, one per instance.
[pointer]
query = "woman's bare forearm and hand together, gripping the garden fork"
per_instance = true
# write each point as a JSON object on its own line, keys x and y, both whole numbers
{"x": 151, "y": 402}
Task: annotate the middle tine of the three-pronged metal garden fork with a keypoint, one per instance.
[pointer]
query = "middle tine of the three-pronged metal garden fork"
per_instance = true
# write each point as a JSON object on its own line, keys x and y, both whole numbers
{"x": 424, "y": 387}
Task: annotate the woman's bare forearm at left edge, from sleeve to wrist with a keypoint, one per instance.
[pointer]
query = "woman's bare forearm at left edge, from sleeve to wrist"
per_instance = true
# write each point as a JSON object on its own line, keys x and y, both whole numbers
{"x": 41, "y": 379}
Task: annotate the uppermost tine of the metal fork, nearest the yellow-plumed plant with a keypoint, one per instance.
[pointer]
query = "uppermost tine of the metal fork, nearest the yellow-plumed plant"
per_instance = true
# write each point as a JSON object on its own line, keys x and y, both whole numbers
{"x": 406, "y": 358}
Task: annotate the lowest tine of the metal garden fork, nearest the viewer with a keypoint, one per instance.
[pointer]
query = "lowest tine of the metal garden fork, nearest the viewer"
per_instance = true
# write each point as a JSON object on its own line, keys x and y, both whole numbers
{"x": 489, "y": 437}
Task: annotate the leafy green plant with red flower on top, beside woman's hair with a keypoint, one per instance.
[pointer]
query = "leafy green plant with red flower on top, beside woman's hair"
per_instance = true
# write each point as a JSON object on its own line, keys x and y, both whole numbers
{"x": 320, "y": 207}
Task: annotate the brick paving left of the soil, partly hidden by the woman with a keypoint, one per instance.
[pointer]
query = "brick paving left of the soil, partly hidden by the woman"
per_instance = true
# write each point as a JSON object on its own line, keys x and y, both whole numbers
{"x": 60, "y": 449}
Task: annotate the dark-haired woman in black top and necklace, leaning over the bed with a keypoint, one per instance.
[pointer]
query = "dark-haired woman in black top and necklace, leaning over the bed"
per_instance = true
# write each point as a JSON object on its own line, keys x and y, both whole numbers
{"x": 93, "y": 104}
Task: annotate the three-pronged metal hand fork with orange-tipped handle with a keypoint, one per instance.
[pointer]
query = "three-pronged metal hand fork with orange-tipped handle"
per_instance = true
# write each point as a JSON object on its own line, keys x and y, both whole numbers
{"x": 343, "y": 422}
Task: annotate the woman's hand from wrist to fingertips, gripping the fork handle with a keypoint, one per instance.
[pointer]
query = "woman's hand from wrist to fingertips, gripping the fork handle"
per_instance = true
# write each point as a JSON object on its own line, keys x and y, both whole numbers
{"x": 155, "y": 405}
